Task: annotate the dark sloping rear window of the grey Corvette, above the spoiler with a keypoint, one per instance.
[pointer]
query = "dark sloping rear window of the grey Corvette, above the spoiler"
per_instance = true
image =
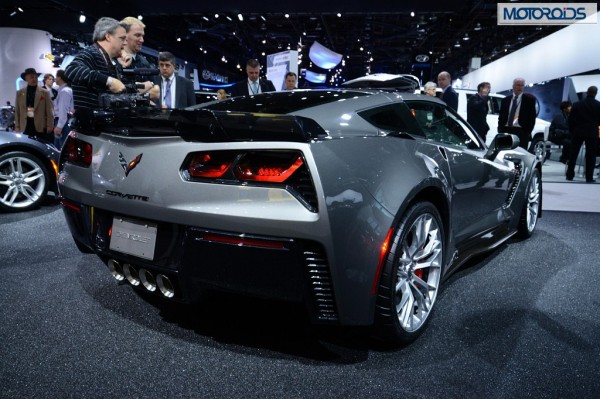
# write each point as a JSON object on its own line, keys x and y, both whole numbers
{"x": 282, "y": 102}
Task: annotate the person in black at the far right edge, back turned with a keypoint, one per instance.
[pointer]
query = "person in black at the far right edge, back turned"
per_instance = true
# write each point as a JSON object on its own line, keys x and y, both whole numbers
{"x": 584, "y": 121}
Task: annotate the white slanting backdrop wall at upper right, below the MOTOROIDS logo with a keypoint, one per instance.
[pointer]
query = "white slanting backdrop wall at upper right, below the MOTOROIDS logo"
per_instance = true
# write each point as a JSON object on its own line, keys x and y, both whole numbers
{"x": 569, "y": 51}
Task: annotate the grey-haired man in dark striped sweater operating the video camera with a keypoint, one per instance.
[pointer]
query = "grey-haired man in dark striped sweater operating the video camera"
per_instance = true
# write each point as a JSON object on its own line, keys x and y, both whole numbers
{"x": 93, "y": 71}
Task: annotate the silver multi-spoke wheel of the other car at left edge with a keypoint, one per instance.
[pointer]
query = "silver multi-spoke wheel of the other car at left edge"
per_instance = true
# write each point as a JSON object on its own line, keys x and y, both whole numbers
{"x": 23, "y": 181}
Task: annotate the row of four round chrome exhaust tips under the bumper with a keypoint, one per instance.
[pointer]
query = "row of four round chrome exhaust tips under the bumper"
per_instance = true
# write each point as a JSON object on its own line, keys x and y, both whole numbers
{"x": 141, "y": 276}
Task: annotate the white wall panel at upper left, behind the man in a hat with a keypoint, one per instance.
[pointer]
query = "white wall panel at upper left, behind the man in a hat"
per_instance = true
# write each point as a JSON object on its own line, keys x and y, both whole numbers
{"x": 21, "y": 49}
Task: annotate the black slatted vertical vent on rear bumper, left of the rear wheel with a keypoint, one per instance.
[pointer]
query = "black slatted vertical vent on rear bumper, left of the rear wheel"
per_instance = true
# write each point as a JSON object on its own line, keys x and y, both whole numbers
{"x": 320, "y": 285}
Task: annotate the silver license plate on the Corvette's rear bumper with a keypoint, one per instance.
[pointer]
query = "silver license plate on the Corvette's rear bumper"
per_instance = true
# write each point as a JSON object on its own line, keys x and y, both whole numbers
{"x": 133, "y": 237}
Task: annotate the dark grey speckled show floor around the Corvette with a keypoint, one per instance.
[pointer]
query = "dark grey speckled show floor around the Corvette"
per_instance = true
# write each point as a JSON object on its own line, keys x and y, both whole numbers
{"x": 522, "y": 321}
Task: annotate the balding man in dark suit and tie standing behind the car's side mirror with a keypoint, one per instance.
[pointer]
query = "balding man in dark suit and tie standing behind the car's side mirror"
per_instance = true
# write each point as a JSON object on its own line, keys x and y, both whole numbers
{"x": 517, "y": 113}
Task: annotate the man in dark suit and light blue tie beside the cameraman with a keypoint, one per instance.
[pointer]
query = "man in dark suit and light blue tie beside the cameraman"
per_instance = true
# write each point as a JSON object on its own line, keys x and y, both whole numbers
{"x": 175, "y": 91}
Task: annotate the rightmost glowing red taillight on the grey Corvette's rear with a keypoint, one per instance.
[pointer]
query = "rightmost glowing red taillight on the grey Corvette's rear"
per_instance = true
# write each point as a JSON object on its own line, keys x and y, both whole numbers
{"x": 268, "y": 167}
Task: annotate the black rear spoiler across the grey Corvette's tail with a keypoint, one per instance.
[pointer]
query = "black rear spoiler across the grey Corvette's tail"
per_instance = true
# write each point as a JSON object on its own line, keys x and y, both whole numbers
{"x": 201, "y": 125}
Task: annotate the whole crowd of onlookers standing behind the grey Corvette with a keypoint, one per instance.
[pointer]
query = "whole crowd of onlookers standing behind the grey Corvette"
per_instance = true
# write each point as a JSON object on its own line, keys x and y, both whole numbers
{"x": 44, "y": 111}
